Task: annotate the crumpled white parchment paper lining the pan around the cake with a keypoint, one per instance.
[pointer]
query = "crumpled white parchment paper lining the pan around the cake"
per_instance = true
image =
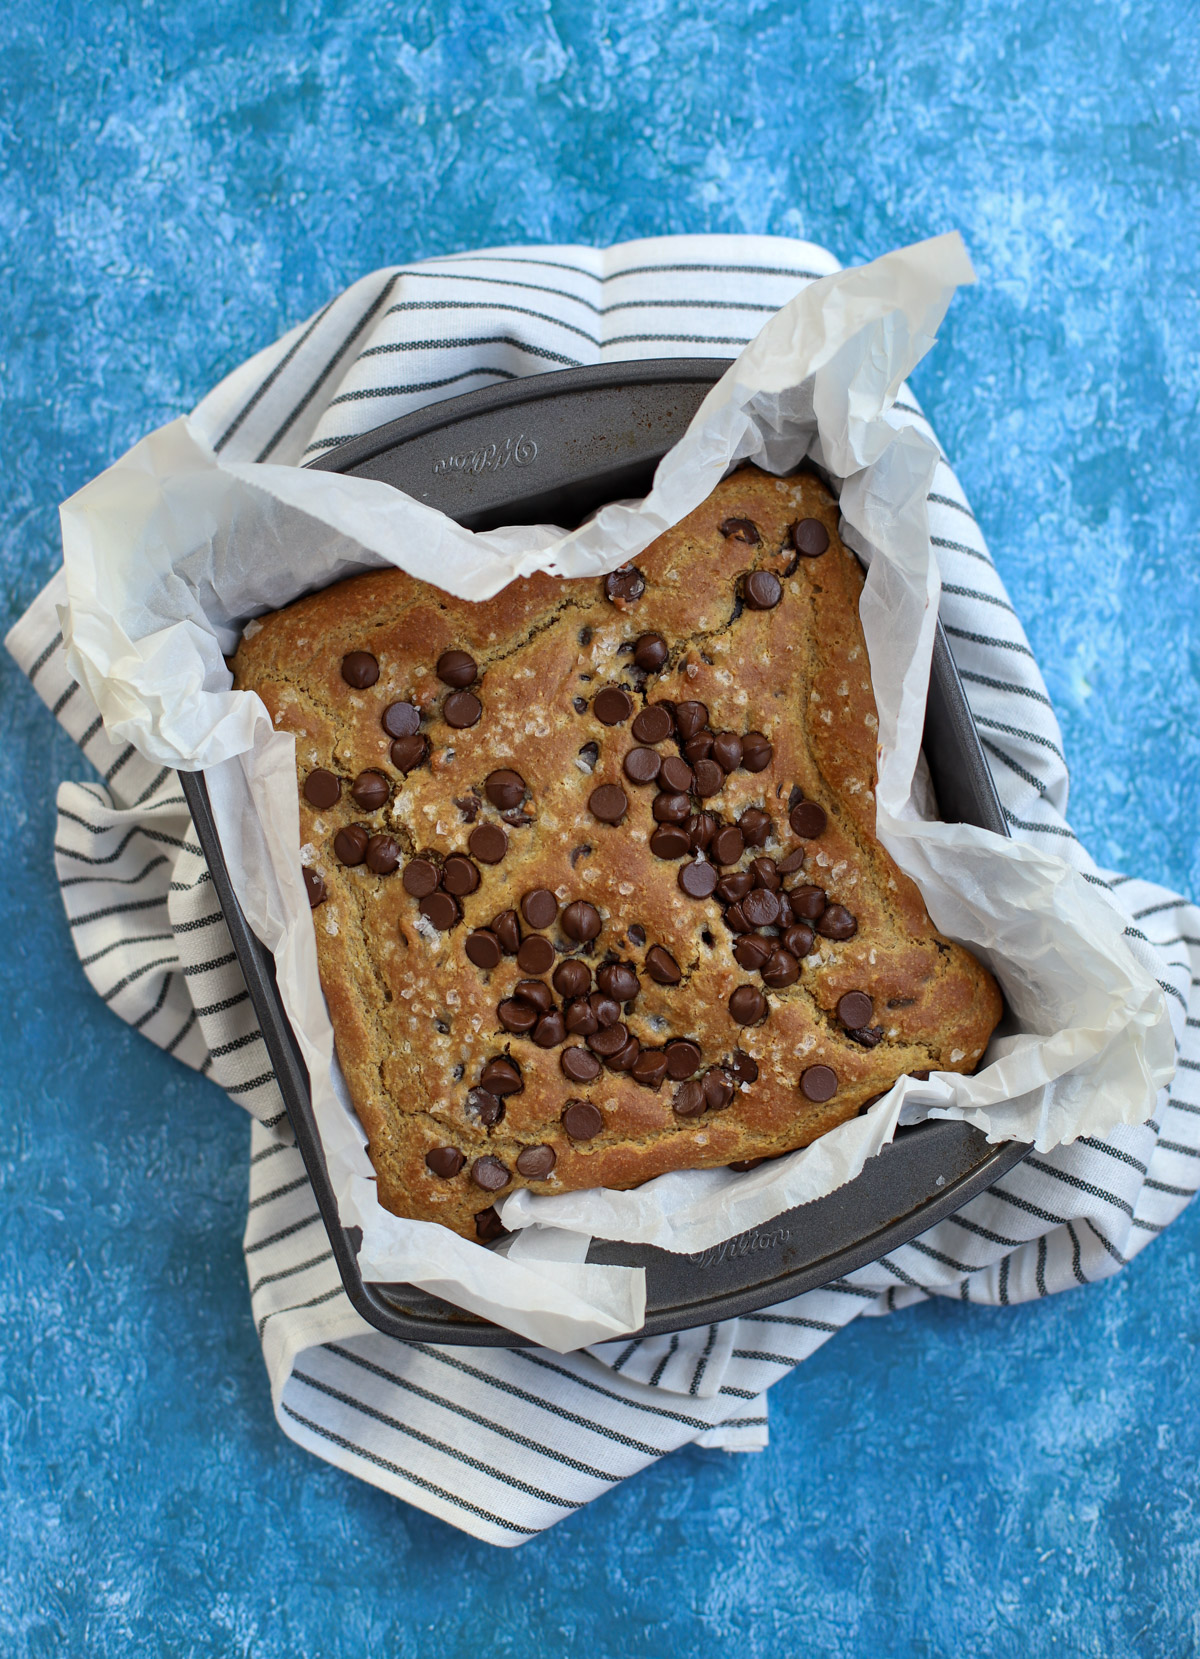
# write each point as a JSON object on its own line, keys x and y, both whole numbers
{"x": 173, "y": 550}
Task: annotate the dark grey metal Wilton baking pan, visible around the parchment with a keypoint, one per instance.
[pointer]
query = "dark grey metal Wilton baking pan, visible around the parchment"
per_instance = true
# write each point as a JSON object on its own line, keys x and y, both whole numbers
{"x": 552, "y": 449}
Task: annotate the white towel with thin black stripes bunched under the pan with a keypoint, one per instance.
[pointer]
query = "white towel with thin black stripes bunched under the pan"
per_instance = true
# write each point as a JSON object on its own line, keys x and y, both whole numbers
{"x": 505, "y": 1444}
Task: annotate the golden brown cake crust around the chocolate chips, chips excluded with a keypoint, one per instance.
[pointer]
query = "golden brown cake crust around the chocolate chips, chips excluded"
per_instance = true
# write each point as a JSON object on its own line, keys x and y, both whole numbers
{"x": 416, "y": 1021}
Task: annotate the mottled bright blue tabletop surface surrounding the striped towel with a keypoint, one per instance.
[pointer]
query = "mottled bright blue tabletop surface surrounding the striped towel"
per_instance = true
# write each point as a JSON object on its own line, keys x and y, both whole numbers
{"x": 185, "y": 182}
